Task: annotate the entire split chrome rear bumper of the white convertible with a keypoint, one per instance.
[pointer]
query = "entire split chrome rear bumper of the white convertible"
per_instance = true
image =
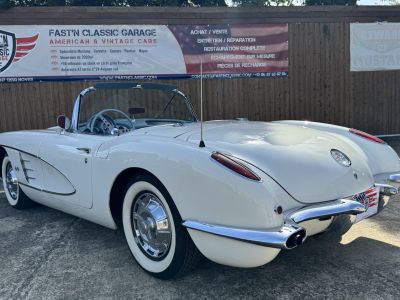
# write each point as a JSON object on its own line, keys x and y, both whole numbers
{"x": 291, "y": 234}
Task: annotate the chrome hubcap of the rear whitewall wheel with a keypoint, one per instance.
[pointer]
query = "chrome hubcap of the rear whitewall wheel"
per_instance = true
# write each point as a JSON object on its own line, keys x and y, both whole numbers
{"x": 151, "y": 226}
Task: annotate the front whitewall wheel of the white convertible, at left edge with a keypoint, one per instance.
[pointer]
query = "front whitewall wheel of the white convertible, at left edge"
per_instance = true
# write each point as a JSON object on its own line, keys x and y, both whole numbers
{"x": 15, "y": 196}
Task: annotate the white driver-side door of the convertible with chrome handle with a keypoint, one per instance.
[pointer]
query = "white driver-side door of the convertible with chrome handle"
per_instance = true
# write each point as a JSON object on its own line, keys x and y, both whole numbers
{"x": 67, "y": 170}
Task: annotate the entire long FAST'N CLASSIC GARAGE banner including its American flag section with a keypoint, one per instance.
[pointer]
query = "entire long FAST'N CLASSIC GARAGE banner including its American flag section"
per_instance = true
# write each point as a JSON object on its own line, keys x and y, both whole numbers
{"x": 77, "y": 52}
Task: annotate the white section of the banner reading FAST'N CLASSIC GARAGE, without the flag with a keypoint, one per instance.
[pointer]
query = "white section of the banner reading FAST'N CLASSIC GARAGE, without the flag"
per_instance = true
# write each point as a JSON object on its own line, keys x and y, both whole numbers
{"x": 85, "y": 51}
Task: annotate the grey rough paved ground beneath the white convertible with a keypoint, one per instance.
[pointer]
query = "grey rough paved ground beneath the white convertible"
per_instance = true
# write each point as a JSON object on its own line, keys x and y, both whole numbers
{"x": 46, "y": 254}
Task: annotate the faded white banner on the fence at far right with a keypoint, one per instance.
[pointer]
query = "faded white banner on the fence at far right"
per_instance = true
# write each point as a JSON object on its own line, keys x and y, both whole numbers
{"x": 374, "y": 46}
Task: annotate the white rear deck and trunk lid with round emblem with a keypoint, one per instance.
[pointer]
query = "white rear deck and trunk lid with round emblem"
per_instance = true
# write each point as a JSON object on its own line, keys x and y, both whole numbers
{"x": 297, "y": 158}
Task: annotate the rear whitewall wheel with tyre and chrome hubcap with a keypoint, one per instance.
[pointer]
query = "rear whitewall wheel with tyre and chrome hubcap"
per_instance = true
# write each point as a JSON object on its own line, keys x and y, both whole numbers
{"x": 153, "y": 230}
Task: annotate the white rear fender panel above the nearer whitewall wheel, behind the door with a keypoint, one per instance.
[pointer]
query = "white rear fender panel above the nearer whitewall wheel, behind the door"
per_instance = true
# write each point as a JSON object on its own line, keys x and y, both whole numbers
{"x": 201, "y": 188}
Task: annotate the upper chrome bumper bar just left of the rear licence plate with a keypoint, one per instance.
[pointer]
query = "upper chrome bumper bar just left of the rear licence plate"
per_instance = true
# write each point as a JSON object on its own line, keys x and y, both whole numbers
{"x": 318, "y": 211}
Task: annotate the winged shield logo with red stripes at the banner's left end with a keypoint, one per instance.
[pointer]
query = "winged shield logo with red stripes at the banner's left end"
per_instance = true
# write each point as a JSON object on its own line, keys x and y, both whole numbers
{"x": 13, "y": 49}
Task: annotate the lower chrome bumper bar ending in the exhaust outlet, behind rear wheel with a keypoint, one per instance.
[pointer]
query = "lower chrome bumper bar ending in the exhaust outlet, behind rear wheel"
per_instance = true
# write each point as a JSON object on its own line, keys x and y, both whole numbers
{"x": 285, "y": 237}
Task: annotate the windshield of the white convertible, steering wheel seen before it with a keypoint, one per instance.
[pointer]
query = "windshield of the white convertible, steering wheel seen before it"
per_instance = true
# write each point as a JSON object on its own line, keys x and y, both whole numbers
{"x": 115, "y": 111}
